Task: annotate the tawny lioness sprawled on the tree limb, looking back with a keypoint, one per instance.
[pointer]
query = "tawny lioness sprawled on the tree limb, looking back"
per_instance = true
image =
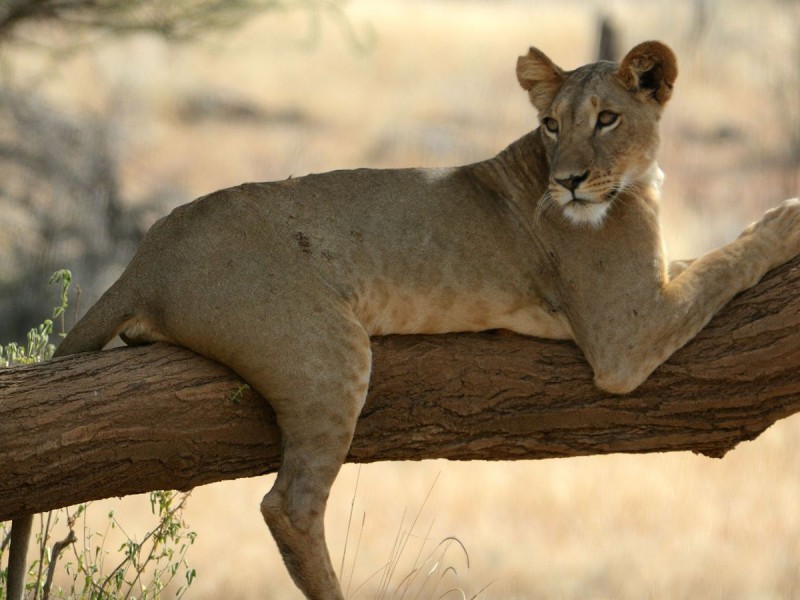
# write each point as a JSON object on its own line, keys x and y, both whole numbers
{"x": 558, "y": 236}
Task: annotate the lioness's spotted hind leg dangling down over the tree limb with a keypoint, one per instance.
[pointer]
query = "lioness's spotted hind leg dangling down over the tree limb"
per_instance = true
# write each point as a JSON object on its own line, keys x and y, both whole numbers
{"x": 317, "y": 394}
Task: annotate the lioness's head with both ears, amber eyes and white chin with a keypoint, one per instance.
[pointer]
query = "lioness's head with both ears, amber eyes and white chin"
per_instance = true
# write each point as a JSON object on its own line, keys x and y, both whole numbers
{"x": 599, "y": 125}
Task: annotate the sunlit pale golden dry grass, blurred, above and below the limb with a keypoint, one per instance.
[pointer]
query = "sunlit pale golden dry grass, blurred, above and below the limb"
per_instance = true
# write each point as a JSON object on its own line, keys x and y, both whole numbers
{"x": 437, "y": 87}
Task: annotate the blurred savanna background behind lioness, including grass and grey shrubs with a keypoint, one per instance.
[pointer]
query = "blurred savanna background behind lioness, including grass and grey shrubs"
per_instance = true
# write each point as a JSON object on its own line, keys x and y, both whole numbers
{"x": 108, "y": 123}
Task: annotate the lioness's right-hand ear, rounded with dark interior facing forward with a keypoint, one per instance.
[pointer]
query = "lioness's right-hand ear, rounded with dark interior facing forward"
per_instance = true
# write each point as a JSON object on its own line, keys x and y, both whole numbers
{"x": 649, "y": 71}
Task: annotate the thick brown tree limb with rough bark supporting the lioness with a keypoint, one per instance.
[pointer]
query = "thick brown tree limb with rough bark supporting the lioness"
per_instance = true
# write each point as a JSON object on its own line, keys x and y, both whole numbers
{"x": 131, "y": 420}
